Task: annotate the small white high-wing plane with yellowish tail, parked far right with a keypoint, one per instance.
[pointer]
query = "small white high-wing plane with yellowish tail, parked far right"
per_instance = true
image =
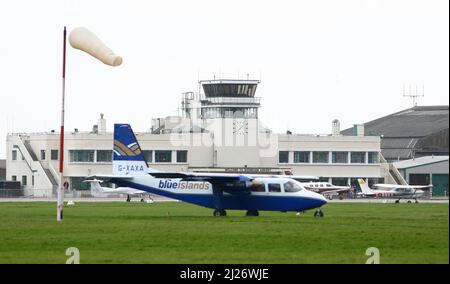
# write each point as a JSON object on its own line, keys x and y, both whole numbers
{"x": 396, "y": 191}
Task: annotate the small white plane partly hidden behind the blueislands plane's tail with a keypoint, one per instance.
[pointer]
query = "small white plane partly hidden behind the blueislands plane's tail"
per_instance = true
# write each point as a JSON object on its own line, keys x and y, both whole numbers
{"x": 98, "y": 191}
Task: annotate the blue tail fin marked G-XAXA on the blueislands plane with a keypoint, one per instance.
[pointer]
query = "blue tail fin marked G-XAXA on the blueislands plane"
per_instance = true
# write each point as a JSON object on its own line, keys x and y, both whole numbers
{"x": 128, "y": 158}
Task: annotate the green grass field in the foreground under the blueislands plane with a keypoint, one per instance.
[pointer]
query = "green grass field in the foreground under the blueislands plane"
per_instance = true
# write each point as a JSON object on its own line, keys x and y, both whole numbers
{"x": 172, "y": 232}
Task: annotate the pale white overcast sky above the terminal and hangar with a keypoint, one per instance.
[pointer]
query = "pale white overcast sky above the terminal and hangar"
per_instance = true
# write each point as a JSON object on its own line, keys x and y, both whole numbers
{"x": 317, "y": 60}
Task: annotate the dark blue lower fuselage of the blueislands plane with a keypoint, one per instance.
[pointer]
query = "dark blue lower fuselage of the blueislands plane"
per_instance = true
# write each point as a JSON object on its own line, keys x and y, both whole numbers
{"x": 235, "y": 202}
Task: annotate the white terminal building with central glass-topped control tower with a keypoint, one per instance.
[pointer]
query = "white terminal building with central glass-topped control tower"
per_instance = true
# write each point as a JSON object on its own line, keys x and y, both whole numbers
{"x": 219, "y": 131}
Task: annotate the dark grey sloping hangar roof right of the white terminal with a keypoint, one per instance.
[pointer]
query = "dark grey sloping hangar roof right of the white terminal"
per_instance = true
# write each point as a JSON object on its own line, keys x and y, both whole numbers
{"x": 418, "y": 121}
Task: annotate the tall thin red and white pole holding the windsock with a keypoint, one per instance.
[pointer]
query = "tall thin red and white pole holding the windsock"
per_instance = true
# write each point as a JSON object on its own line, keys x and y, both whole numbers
{"x": 60, "y": 192}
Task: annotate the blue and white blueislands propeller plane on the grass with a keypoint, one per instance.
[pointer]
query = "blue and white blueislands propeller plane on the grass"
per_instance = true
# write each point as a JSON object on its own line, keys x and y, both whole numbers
{"x": 217, "y": 191}
